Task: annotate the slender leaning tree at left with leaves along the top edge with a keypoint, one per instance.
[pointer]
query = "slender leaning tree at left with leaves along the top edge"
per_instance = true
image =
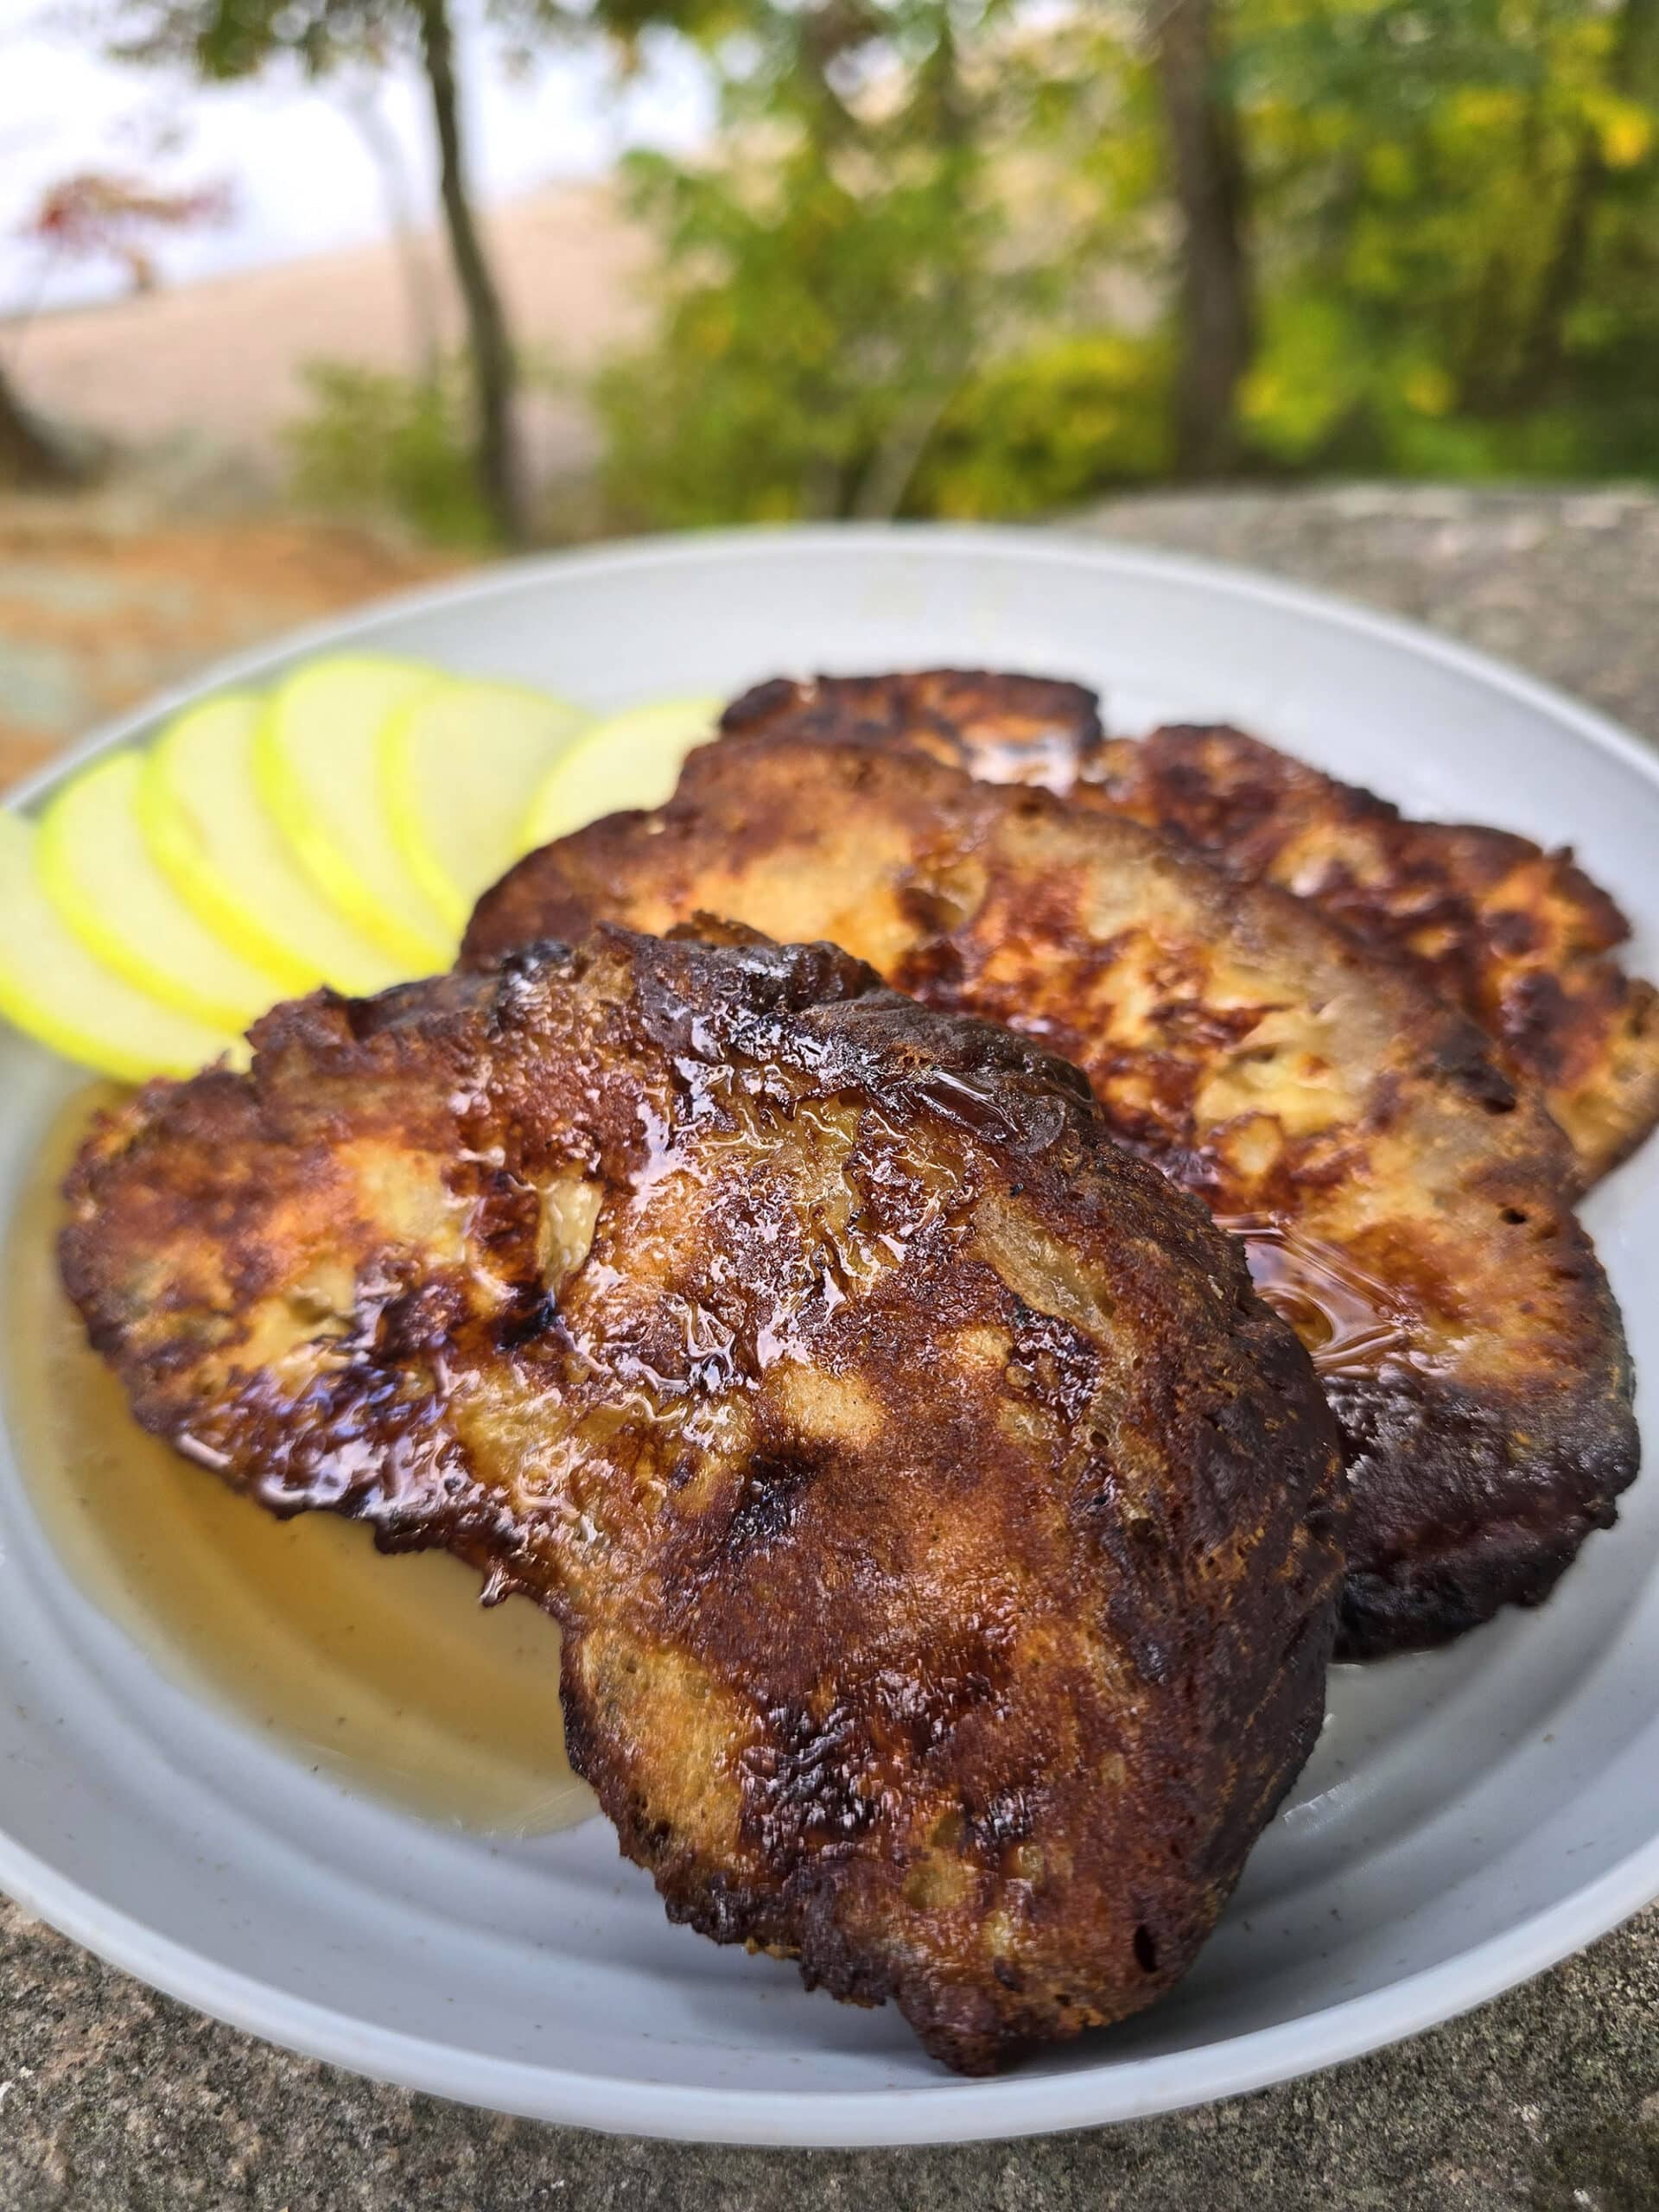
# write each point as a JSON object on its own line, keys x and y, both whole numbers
{"x": 236, "y": 39}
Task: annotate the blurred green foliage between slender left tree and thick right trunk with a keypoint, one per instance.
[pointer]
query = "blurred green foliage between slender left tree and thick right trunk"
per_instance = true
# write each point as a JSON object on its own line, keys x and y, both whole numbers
{"x": 906, "y": 196}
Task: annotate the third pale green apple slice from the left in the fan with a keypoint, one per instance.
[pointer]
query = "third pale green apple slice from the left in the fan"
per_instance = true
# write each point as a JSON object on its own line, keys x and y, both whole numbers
{"x": 222, "y": 853}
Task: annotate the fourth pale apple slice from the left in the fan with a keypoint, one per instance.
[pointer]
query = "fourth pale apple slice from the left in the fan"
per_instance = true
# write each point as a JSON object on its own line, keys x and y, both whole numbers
{"x": 317, "y": 762}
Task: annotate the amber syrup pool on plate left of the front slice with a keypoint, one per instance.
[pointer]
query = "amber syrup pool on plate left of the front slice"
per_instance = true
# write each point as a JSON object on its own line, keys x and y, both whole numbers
{"x": 379, "y": 1671}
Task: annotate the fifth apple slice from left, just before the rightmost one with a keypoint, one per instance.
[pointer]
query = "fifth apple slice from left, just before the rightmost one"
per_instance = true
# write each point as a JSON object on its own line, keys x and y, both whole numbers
{"x": 461, "y": 764}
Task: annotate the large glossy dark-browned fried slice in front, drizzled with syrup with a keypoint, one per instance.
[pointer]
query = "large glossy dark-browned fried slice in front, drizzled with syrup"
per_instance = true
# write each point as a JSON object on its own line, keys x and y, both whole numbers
{"x": 946, "y": 1536}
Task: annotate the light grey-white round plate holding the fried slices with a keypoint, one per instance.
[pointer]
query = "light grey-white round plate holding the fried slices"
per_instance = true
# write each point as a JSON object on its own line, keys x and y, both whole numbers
{"x": 1468, "y": 1817}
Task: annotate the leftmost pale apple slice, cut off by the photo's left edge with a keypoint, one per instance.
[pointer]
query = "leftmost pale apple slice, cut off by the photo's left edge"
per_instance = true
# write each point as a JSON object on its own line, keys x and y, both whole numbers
{"x": 65, "y": 999}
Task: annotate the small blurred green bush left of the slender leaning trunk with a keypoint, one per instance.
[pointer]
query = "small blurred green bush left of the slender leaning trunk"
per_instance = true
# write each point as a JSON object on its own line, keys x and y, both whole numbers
{"x": 388, "y": 446}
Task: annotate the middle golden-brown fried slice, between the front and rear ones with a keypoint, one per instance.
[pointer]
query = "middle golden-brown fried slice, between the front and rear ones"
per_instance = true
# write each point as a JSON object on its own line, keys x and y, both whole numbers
{"x": 1406, "y": 1204}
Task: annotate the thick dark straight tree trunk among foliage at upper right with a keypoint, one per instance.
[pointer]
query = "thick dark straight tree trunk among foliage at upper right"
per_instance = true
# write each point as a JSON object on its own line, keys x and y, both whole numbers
{"x": 1218, "y": 324}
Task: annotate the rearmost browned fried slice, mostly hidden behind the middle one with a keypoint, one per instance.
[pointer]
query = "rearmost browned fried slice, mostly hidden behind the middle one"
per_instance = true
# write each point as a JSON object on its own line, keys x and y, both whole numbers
{"x": 1519, "y": 937}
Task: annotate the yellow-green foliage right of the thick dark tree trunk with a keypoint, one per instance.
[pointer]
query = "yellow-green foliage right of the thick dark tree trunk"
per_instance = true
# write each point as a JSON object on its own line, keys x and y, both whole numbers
{"x": 1457, "y": 207}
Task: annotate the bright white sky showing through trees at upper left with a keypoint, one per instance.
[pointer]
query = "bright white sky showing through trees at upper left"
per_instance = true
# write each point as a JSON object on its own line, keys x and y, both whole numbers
{"x": 300, "y": 169}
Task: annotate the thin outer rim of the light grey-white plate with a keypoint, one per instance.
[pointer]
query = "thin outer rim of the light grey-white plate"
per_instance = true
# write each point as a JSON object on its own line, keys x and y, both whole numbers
{"x": 937, "y": 2111}
